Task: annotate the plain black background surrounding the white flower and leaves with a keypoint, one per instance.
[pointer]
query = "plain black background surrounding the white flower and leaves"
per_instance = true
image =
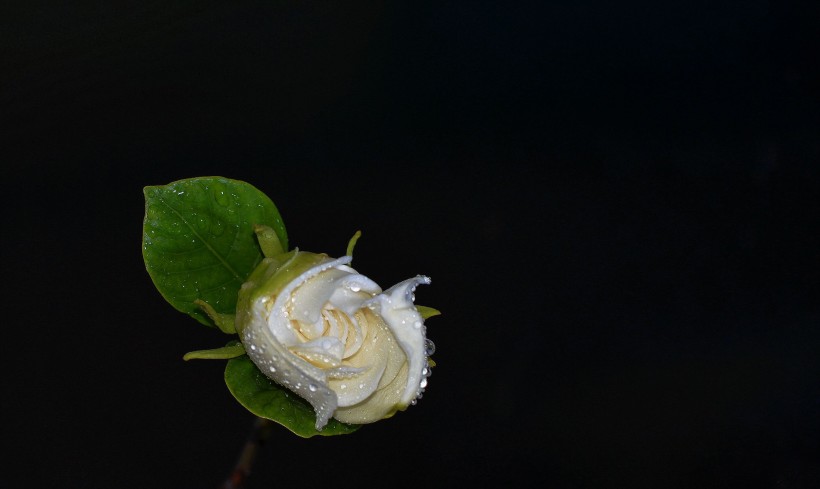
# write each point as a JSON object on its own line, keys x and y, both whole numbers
{"x": 617, "y": 203}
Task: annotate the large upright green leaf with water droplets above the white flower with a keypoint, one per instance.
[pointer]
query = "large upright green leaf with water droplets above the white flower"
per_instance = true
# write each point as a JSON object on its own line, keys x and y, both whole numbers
{"x": 198, "y": 240}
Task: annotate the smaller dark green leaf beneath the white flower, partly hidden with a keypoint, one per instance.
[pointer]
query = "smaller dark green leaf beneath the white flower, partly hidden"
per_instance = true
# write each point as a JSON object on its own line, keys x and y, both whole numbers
{"x": 266, "y": 399}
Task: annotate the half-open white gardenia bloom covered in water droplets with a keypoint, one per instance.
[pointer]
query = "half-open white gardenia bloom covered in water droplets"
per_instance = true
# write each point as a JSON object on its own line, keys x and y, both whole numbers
{"x": 314, "y": 325}
